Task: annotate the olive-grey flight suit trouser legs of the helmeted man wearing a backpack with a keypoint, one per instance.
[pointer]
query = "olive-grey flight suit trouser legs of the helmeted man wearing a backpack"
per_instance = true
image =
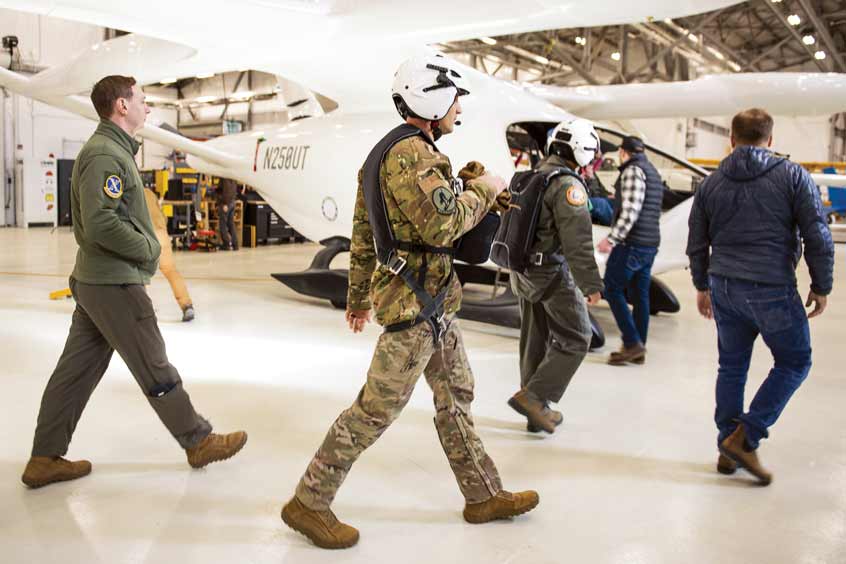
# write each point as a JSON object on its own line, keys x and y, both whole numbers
{"x": 555, "y": 336}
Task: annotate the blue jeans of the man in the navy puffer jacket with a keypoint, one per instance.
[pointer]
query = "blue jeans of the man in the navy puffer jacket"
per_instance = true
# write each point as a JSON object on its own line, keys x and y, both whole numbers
{"x": 743, "y": 310}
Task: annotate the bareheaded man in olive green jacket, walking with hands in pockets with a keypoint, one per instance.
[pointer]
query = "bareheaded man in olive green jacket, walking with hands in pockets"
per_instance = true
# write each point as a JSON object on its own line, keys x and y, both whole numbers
{"x": 118, "y": 254}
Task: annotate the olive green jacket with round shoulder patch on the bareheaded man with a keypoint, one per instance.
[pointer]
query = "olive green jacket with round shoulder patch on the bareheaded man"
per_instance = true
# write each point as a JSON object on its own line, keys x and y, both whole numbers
{"x": 117, "y": 243}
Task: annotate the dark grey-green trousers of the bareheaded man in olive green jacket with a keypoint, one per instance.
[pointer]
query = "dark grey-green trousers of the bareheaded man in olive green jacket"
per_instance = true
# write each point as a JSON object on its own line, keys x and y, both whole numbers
{"x": 112, "y": 318}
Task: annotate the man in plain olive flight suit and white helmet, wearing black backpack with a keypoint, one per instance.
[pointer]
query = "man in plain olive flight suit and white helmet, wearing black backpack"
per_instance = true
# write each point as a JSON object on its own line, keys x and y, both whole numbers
{"x": 555, "y": 328}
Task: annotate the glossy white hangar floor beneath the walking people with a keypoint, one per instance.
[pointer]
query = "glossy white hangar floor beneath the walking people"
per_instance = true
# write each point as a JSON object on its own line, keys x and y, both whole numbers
{"x": 628, "y": 479}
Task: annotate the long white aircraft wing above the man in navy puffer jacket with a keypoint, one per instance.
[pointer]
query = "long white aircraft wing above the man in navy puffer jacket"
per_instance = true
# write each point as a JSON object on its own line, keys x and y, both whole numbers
{"x": 795, "y": 94}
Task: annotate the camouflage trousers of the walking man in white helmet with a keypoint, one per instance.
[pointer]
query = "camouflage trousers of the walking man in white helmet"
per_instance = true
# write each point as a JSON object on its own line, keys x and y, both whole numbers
{"x": 397, "y": 363}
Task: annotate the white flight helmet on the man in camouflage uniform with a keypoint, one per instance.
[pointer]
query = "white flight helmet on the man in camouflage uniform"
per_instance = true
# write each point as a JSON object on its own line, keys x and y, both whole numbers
{"x": 426, "y": 86}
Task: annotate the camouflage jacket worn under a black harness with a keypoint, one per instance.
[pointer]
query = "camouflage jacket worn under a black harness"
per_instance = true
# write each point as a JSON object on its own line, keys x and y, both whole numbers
{"x": 413, "y": 178}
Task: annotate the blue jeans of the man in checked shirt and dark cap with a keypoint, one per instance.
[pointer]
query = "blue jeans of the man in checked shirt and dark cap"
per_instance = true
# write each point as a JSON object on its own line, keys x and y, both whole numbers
{"x": 630, "y": 265}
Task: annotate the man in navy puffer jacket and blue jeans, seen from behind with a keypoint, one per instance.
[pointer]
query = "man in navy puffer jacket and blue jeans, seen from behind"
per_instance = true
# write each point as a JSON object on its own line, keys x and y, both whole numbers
{"x": 748, "y": 223}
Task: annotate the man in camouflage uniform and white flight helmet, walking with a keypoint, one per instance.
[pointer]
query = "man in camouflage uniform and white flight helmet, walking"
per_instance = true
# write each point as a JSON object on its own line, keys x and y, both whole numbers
{"x": 416, "y": 181}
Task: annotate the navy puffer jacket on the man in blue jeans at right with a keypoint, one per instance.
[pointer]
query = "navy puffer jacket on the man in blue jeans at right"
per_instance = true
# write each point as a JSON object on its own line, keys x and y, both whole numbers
{"x": 753, "y": 214}
